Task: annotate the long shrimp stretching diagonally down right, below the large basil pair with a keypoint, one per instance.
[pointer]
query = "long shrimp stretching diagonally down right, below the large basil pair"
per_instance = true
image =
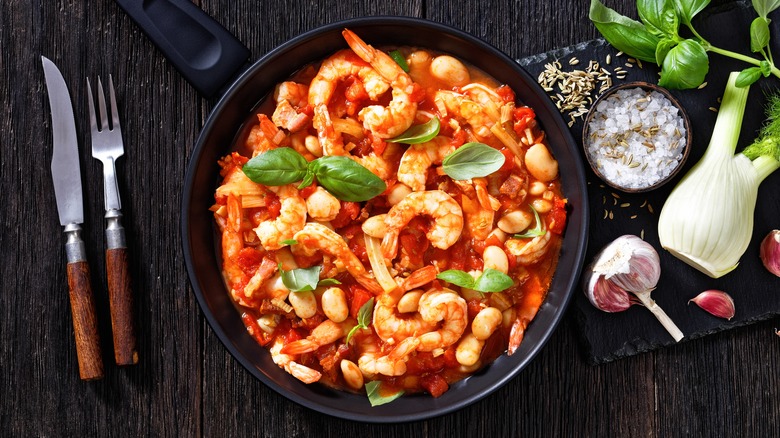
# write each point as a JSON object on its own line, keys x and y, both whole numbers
{"x": 317, "y": 237}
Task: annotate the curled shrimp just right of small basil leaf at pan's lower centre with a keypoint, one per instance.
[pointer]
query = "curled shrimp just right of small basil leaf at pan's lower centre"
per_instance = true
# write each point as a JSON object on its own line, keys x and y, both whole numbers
{"x": 391, "y": 327}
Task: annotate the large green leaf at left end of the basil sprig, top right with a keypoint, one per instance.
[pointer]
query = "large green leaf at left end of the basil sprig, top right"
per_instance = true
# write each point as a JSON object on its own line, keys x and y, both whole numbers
{"x": 625, "y": 34}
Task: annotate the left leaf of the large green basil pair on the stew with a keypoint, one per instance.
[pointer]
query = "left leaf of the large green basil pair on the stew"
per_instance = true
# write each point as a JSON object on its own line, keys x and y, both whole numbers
{"x": 276, "y": 167}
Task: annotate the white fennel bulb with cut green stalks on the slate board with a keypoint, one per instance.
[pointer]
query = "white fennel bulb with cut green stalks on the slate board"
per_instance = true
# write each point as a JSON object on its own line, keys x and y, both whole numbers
{"x": 707, "y": 221}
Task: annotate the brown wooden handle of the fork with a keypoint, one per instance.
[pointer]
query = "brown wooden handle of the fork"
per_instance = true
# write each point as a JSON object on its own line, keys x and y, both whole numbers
{"x": 121, "y": 301}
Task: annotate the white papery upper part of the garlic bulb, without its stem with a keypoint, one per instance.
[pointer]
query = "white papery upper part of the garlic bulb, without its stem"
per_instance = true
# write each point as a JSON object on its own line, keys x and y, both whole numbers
{"x": 631, "y": 263}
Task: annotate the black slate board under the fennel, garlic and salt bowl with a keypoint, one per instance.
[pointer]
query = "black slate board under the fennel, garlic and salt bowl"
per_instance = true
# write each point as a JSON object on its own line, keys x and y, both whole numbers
{"x": 610, "y": 336}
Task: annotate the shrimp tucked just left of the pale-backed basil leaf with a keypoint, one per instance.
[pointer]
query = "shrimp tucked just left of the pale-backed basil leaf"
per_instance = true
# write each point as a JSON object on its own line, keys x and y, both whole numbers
{"x": 418, "y": 158}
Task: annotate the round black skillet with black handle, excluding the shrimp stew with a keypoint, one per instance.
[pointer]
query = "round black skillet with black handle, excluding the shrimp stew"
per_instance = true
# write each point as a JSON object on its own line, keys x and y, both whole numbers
{"x": 208, "y": 74}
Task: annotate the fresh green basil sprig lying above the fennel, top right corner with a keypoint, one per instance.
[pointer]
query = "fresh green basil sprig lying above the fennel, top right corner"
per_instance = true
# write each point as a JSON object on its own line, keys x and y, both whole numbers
{"x": 684, "y": 61}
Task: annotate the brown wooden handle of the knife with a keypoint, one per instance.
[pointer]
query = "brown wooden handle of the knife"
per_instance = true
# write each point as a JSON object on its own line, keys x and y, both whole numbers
{"x": 82, "y": 308}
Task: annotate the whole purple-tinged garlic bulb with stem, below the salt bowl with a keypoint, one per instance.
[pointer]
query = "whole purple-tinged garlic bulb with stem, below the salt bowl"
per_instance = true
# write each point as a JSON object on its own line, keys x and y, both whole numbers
{"x": 628, "y": 264}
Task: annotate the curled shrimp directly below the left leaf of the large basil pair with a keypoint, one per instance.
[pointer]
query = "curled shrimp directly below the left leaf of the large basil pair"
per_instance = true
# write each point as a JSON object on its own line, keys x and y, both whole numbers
{"x": 292, "y": 218}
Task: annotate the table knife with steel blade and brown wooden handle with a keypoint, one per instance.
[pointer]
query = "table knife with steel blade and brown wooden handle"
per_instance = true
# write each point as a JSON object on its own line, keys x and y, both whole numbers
{"x": 66, "y": 173}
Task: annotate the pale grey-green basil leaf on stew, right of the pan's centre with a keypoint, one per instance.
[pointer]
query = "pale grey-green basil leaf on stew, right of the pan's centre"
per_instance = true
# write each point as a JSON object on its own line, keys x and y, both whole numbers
{"x": 472, "y": 160}
